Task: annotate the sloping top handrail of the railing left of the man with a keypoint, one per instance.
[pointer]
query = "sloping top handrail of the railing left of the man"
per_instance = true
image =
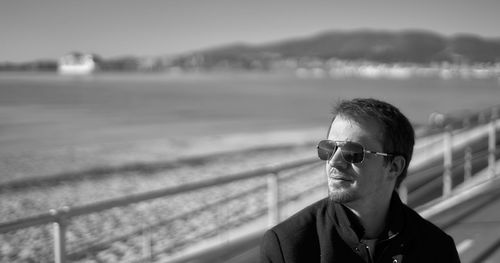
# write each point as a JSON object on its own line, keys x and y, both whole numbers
{"x": 55, "y": 215}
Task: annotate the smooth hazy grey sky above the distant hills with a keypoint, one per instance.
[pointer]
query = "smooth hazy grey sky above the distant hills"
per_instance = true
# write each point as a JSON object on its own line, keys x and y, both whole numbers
{"x": 47, "y": 29}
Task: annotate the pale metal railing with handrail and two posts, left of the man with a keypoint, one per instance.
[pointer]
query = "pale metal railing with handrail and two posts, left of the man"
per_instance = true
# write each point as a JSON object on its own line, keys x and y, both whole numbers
{"x": 60, "y": 218}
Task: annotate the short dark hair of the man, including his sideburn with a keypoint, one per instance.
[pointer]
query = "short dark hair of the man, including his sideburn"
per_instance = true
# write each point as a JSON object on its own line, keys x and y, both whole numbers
{"x": 398, "y": 136}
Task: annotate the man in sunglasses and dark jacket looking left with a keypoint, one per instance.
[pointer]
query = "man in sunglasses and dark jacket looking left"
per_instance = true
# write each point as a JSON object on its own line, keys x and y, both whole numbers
{"x": 367, "y": 153}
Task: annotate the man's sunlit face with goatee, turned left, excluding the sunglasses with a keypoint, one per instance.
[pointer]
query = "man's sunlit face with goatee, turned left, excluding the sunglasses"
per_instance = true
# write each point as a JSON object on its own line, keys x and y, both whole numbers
{"x": 358, "y": 182}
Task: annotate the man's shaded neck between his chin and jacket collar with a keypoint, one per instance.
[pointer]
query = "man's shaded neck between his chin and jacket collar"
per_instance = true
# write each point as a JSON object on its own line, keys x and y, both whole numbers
{"x": 372, "y": 215}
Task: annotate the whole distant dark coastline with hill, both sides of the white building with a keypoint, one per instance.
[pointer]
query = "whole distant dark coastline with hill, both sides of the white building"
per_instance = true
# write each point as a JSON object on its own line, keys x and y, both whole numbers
{"x": 412, "y": 46}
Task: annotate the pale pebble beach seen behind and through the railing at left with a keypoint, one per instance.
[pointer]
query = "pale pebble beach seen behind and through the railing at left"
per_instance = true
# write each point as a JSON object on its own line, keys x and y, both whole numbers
{"x": 161, "y": 227}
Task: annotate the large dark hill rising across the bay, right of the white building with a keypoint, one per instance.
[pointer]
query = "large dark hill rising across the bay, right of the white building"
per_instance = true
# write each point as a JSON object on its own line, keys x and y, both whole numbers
{"x": 414, "y": 46}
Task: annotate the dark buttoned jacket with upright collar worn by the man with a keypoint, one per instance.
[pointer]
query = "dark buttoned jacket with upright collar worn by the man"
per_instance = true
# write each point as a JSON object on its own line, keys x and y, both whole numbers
{"x": 328, "y": 232}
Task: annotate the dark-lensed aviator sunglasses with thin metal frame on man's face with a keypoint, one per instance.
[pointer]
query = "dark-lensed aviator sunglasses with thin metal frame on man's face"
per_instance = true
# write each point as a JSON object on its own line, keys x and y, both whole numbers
{"x": 351, "y": 152}
